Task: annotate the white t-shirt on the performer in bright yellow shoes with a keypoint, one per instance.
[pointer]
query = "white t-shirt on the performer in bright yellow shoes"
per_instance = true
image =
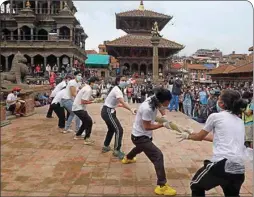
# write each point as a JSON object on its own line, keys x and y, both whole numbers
{"x": 144, "y": 113}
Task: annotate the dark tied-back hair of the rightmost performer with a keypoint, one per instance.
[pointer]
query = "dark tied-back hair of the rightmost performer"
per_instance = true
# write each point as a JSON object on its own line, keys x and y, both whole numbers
{"x": 233, "y": 102}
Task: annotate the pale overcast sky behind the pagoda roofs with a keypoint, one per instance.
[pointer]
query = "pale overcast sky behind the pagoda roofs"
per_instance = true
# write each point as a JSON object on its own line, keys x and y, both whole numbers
{"x": 225, "y": 25}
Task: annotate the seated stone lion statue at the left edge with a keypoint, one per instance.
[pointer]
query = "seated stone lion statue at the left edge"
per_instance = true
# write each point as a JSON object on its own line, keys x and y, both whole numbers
{"x": 19, "y": 70}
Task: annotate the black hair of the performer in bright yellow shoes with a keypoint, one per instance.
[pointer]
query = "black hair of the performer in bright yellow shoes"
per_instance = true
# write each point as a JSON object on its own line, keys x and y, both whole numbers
{"x": 161, "y": 95}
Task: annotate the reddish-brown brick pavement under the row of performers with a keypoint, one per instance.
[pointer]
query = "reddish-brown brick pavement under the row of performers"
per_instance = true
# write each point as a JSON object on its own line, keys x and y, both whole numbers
{"x": 38, "y": 160}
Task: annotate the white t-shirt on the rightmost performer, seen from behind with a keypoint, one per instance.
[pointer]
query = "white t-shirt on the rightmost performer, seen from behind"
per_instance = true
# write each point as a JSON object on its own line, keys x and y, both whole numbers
{"x": 229, "y": 132}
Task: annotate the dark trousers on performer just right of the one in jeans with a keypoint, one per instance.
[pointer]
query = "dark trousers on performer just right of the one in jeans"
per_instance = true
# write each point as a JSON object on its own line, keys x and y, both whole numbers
{"x": 87, "y": 123}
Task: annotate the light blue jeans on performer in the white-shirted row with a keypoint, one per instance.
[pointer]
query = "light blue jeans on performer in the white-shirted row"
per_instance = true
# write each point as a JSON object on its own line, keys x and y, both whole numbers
{"x": 67, "y": 104}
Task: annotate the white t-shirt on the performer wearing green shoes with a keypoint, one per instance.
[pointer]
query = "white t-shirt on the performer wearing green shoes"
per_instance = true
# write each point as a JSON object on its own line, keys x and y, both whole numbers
{"x": 111, "y": 100}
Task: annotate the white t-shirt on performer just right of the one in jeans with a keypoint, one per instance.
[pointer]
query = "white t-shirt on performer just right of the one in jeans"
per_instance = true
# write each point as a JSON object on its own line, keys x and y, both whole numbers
{"x": 84, "y": 94}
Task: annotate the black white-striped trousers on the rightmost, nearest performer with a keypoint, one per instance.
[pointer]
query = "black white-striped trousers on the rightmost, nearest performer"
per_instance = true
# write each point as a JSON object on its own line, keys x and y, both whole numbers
{"x": 213, "y": 175}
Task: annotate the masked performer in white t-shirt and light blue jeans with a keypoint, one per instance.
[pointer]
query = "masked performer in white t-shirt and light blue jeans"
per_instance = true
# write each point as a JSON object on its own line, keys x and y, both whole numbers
{"x": 67, "y": 100}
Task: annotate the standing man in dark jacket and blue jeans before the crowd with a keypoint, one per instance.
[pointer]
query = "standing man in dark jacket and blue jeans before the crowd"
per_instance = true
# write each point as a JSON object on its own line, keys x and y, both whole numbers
{"x": 176, "y": 91}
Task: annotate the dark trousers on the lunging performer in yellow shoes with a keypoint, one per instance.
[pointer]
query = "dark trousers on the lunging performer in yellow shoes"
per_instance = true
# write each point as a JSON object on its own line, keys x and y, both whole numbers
{"x": 145, "y": 144}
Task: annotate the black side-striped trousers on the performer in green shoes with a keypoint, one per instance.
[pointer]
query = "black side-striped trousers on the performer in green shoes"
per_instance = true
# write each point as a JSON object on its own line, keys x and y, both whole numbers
{"x": 114, "y": 126}
